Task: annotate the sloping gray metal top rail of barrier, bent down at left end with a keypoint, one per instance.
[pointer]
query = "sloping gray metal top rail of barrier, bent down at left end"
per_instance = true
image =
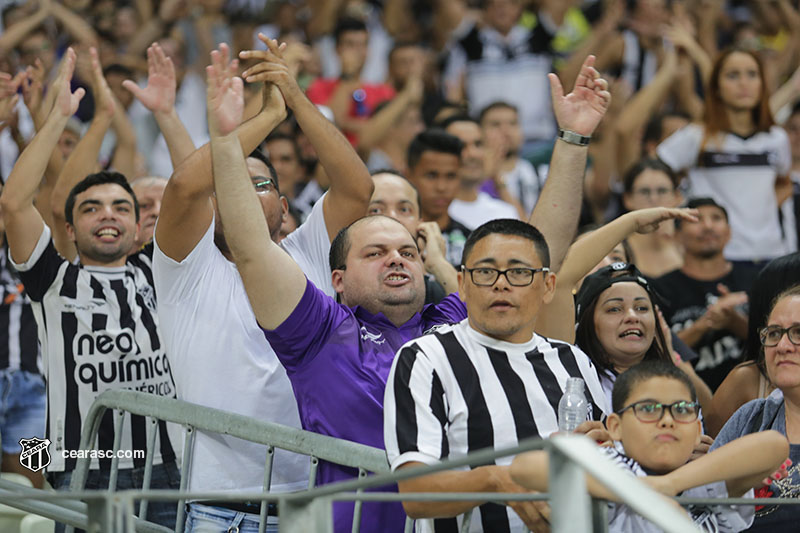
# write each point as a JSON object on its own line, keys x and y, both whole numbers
{"x": 337, "y": 451}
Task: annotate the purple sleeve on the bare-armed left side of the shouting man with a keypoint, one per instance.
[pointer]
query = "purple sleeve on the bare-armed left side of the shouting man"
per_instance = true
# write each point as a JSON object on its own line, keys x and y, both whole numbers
{"x": 301, "y": 336}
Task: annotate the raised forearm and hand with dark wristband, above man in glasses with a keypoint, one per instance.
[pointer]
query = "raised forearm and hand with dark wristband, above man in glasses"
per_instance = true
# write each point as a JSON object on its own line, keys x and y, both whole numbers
{"x": 558, "y": 209}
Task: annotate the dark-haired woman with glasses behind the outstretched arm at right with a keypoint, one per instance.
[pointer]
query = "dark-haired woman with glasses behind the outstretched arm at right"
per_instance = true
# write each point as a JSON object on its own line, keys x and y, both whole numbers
{"x": 650, "y": 183}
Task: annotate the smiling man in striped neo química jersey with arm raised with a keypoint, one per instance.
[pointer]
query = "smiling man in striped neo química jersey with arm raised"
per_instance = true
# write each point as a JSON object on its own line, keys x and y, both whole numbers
{"x": 97, "y": 320}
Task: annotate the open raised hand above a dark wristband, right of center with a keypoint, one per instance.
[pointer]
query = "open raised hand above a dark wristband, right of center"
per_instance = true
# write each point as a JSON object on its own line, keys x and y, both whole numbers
{"x": 582, "y": 109}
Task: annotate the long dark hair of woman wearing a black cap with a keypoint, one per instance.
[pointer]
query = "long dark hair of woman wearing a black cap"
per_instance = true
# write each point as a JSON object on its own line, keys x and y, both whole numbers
{"x": 586, "y": 337}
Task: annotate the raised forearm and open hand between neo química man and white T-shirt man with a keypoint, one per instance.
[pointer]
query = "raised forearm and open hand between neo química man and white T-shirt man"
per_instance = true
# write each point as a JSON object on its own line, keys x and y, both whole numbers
{"x": 159, "y": 98}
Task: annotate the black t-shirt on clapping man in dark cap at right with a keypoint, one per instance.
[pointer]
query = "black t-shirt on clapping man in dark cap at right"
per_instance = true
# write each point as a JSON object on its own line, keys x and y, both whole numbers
{"x": 686, "y": 300}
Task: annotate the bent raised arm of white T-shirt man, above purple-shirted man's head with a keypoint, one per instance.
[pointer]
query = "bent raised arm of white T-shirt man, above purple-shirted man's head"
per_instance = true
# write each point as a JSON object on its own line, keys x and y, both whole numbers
{"x": 351, "y": 185}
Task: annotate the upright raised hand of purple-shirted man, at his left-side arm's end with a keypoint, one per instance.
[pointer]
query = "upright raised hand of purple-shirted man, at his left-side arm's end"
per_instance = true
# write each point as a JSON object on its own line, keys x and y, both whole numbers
{"x": 225, "y": 93}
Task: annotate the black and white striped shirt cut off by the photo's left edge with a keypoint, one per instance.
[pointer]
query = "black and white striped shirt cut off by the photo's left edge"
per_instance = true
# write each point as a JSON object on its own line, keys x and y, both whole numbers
{"x": 19, "y": 347}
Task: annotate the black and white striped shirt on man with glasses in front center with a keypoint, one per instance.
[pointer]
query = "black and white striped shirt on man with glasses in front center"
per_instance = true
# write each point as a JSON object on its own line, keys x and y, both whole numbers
{"x": 455, "y": 391}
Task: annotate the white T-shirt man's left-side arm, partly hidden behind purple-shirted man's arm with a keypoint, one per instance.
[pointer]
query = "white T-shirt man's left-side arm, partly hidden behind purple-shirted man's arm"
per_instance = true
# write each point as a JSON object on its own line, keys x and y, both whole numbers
{"x": 186, "y": 209}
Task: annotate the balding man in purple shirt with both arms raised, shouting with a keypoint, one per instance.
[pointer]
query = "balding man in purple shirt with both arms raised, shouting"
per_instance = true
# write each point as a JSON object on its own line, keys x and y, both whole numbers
{"x": 338, "y": 355}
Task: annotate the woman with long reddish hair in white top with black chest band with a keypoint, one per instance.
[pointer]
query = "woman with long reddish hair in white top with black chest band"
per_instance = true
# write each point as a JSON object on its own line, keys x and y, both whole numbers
{"x": 737, "y": 156}
